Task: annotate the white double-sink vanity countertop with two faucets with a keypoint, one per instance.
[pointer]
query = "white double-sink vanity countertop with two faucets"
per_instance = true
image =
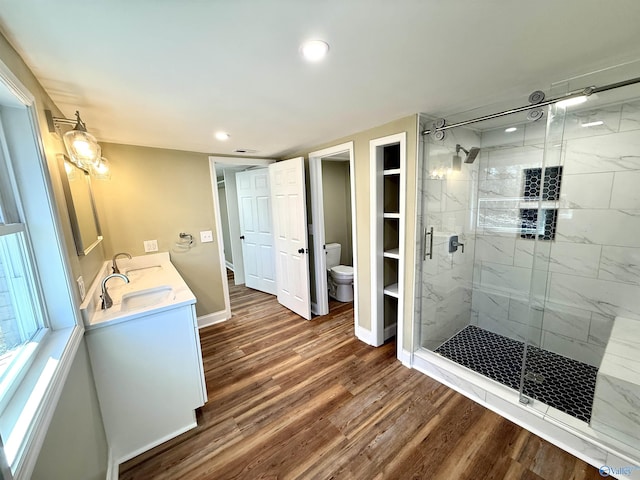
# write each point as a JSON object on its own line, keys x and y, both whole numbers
{"x": 147, "y": 274}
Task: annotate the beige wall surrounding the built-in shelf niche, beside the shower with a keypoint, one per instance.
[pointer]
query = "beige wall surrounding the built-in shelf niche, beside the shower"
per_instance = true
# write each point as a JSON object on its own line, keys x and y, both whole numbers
{"x": 363, "y": 214}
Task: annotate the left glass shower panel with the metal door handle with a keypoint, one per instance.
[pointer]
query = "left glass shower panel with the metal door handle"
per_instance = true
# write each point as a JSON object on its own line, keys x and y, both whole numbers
{"x": 477, "y": 301}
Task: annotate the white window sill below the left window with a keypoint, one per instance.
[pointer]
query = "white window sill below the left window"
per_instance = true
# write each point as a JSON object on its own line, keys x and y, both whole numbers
{"x": 24, "y": 423}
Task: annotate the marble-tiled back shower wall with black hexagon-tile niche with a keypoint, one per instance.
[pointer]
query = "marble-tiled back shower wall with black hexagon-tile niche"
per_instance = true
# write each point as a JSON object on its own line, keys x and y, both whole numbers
{"x": 592, "y": 269}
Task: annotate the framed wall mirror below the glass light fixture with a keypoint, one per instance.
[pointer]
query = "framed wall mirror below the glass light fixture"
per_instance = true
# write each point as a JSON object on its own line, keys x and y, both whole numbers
{"x": 76, "y": 183}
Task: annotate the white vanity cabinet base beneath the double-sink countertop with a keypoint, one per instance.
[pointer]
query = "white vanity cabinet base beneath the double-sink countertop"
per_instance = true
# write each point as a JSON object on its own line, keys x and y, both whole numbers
{"x": 149, "y": 375}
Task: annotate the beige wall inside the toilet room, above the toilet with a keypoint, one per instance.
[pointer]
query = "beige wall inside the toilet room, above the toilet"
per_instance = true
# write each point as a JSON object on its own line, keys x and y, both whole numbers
{"x": 336, "y": 190}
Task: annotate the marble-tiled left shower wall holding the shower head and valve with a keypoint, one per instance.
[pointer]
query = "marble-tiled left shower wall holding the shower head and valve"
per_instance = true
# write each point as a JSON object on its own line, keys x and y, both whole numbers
{"x": 446, "y": 279}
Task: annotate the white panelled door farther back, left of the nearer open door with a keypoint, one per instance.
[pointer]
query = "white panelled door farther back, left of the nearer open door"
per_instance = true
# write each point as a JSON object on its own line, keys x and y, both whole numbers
{"x": 254, "y": 208}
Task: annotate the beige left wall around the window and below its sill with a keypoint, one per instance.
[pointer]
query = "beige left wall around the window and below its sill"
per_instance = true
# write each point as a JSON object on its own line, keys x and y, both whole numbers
{"x": 88, "y": 452}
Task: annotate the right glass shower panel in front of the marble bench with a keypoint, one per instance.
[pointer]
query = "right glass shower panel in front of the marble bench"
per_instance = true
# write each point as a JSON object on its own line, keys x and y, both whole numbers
{"x": 592, "y": 276}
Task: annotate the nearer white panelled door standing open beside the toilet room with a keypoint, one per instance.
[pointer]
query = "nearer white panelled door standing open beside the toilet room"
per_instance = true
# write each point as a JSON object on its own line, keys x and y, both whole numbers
{"x": 290, "y": 232}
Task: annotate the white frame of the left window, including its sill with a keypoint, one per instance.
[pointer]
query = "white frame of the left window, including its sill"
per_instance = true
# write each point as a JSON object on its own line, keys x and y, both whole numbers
{"x": 26, "y": 418}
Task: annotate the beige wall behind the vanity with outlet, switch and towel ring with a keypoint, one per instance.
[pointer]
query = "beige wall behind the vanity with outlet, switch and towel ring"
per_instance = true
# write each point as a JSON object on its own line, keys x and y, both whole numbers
{"x": 155, "y": 194}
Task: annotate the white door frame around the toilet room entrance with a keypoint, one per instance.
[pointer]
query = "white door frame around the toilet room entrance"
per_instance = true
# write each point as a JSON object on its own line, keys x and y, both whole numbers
{"x": 321, "y": 305}
